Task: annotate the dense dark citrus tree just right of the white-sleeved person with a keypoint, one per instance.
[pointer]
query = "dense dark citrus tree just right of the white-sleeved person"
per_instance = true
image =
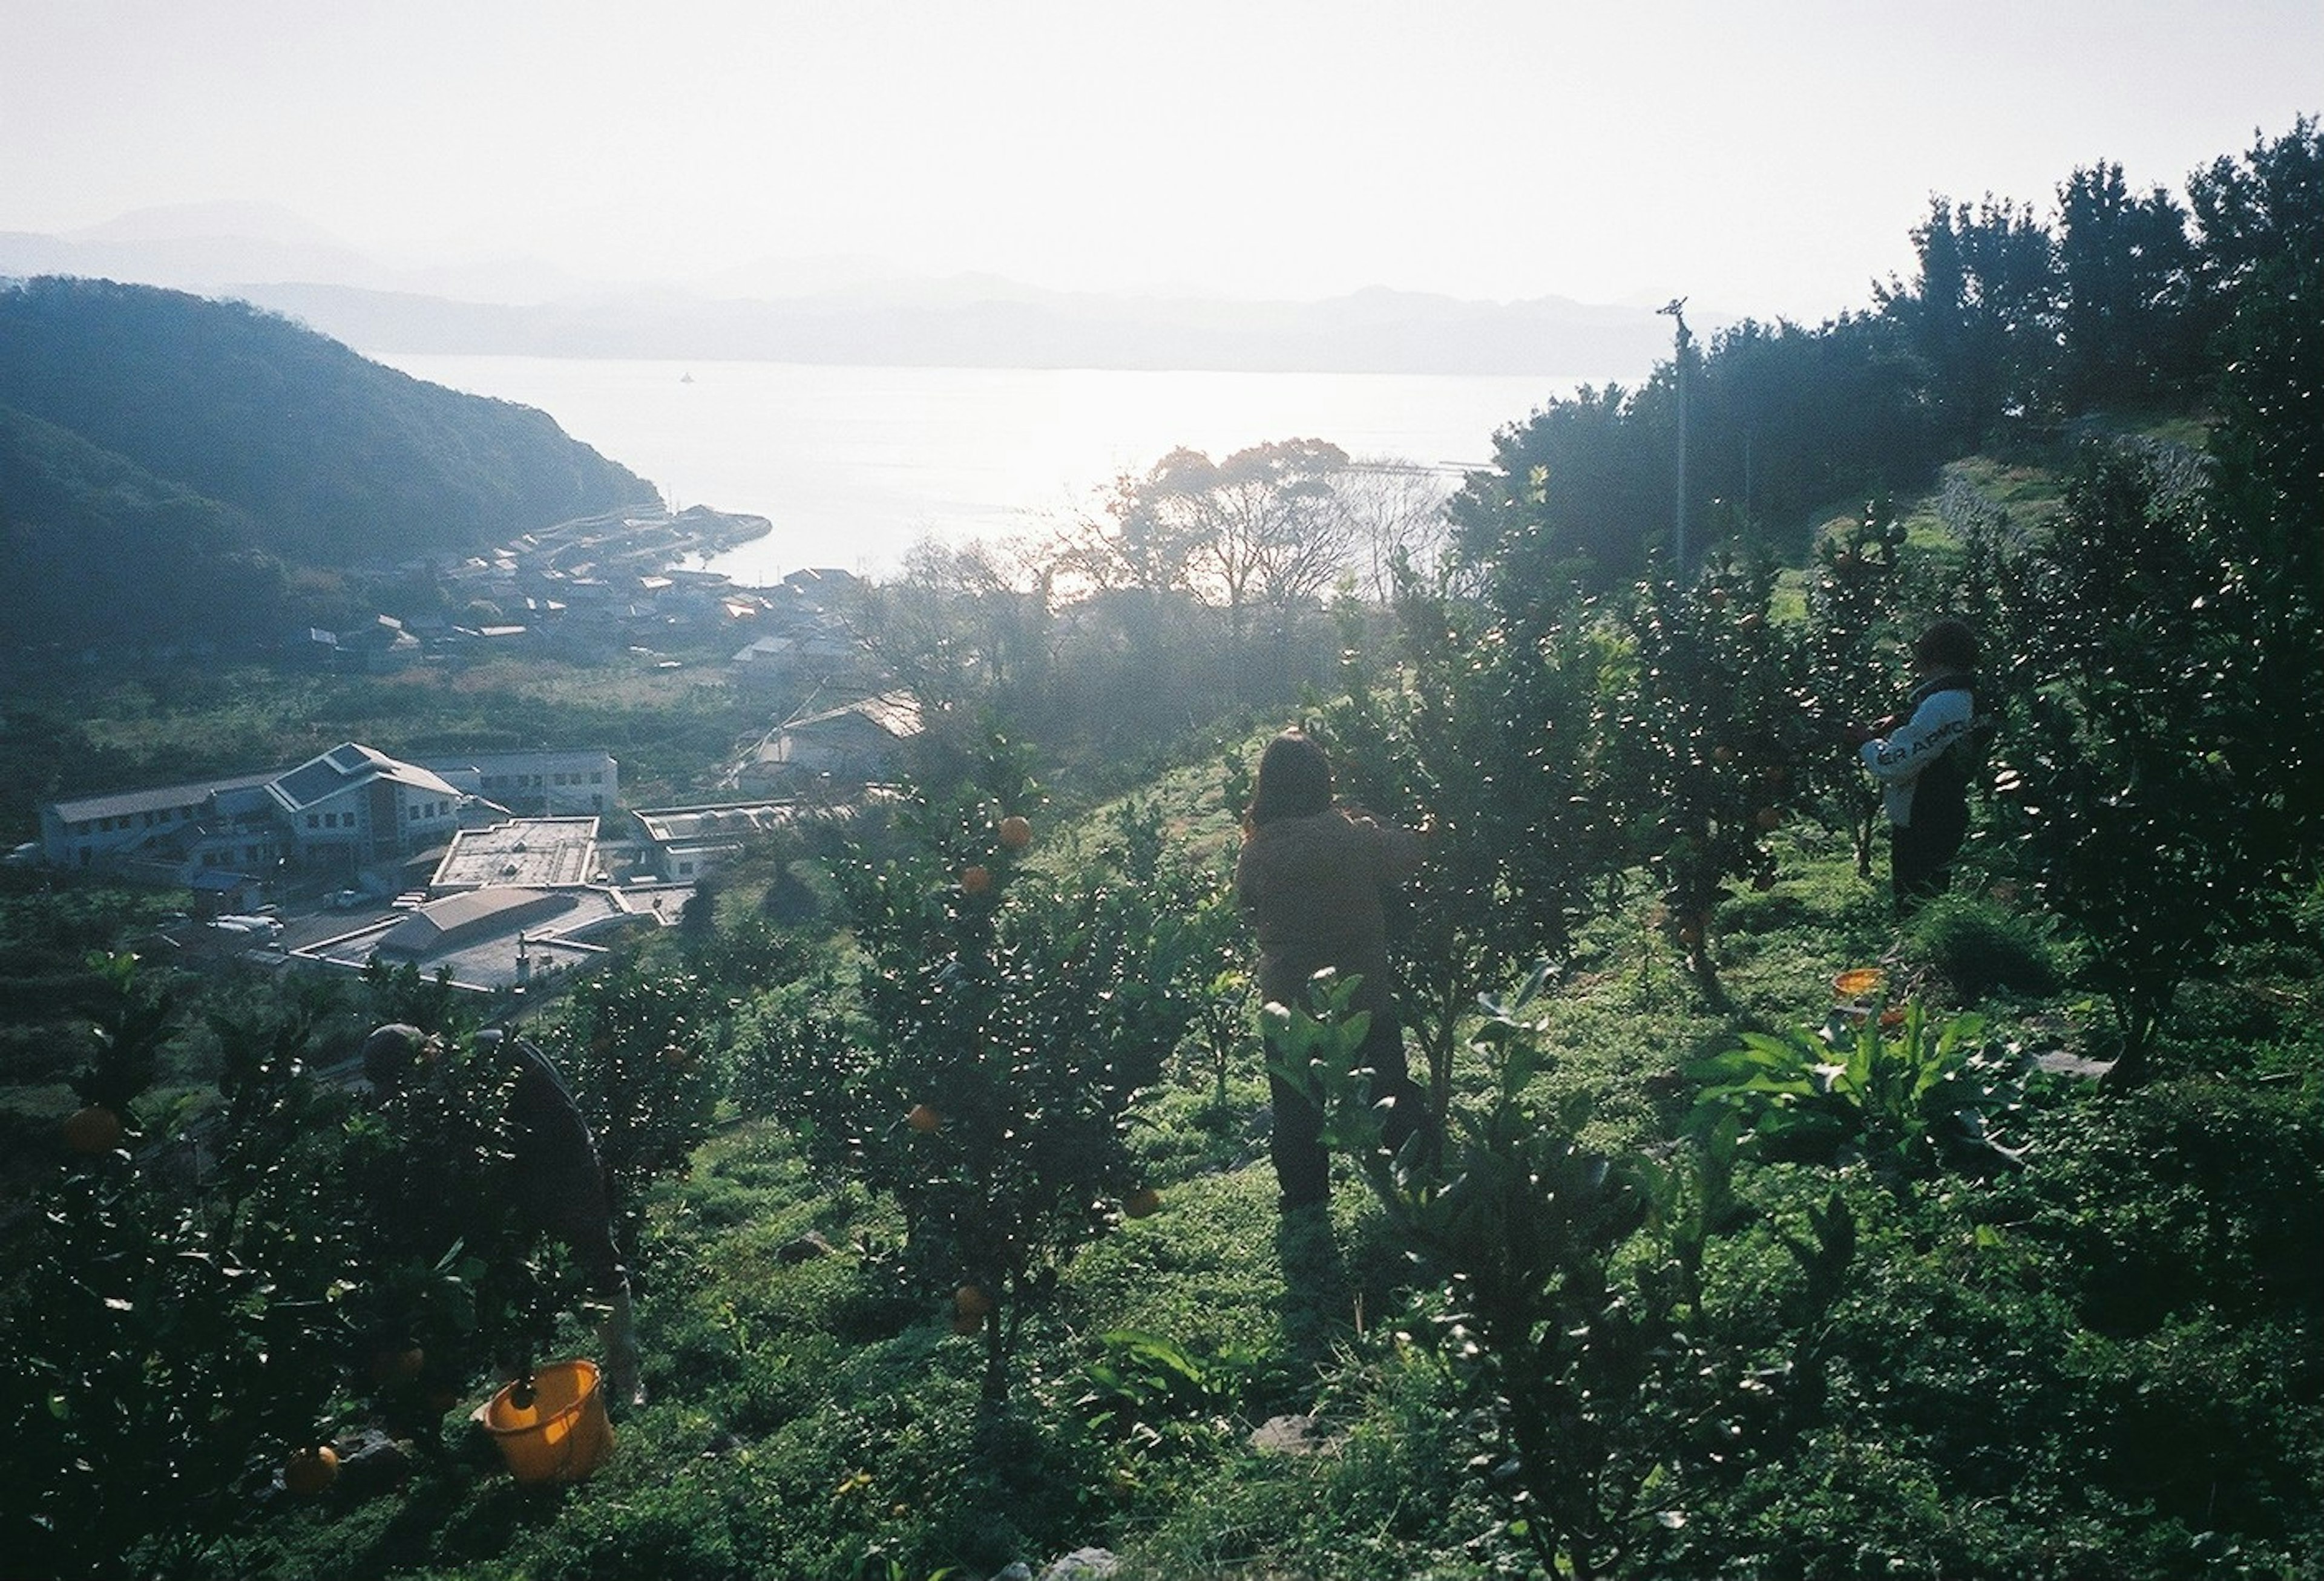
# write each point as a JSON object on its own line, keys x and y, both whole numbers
{"x": 2149, "y": 789}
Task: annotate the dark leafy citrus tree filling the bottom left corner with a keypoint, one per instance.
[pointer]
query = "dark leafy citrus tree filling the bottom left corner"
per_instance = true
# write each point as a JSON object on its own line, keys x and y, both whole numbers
{"x": 175, "y": 1322}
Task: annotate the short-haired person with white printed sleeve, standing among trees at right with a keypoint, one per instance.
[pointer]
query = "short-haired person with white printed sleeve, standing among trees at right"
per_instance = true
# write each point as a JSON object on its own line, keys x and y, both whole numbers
{"x": 1925, "y": 759}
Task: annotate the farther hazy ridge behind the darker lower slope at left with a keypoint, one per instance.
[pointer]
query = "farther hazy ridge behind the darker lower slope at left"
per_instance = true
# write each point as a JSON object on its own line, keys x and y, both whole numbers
{"x": 329, "y": 457}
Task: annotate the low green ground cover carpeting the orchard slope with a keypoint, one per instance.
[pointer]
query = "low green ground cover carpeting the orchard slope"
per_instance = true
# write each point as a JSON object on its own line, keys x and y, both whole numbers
{"x": 812, "y": 1415}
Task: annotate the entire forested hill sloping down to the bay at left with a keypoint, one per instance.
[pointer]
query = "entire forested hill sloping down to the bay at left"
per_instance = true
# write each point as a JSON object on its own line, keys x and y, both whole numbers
{"x": 166, "y": 457}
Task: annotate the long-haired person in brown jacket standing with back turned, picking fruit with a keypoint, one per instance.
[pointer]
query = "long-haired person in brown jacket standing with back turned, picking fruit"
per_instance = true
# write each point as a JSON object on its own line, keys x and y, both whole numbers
{"x": 1314, "y": 880}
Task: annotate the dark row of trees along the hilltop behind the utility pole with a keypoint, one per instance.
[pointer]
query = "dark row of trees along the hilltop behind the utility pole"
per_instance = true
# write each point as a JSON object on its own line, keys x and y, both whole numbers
{"x": 2011, "y": 329}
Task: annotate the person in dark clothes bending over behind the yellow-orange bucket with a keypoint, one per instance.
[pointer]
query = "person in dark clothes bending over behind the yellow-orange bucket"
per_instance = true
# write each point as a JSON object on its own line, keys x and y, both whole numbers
{"x": 557, "y": 1178}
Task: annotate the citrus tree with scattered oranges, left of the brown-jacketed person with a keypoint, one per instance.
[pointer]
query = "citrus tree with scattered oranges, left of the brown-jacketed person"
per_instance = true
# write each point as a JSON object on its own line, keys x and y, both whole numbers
{"x": 1010, "y": 1024}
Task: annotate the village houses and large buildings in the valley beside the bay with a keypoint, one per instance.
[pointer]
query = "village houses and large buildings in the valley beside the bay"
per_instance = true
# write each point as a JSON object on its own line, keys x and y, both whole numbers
{"x": 510, "y": 868}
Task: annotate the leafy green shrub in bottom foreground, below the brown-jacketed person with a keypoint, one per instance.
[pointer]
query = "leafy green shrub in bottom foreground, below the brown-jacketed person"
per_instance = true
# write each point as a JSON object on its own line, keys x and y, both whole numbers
{"x": 1572, "y": 1285}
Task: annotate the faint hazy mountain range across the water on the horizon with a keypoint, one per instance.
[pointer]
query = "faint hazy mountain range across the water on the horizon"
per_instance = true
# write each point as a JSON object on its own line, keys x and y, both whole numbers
{"x": 524, "y": 308}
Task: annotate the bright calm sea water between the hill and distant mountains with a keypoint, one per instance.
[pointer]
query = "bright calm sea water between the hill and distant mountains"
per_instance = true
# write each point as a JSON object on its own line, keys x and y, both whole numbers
{"x": 856, "y": 464}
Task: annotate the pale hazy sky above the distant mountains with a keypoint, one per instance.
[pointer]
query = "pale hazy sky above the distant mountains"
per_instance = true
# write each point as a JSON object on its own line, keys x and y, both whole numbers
{"x": 1763, "y": 159}
